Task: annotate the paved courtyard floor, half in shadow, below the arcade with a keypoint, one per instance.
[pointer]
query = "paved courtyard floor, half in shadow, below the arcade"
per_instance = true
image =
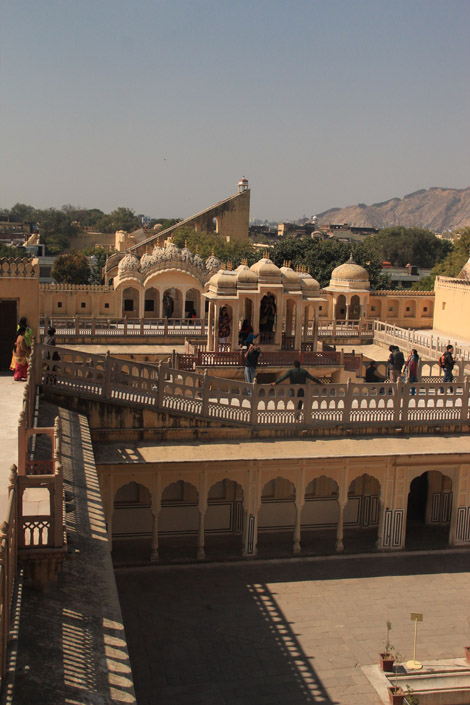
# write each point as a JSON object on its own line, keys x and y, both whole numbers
{"x": 287, "y": 632}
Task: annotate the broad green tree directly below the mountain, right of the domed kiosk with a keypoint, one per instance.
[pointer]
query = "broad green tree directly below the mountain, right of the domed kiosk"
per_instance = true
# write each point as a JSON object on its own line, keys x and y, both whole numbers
{"x": 402, "y": 246}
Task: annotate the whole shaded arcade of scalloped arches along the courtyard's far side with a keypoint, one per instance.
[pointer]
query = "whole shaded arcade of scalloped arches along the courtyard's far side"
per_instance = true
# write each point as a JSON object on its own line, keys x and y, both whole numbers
{"x": 274, "y": 507}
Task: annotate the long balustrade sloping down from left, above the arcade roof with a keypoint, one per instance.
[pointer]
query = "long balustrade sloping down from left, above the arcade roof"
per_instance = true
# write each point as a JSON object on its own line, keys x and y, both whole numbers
{"x": 349, "y": 405}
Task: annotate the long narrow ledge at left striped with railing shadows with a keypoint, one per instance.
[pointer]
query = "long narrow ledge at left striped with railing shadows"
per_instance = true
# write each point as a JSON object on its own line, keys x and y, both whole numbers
{"x": 71, "y": 646}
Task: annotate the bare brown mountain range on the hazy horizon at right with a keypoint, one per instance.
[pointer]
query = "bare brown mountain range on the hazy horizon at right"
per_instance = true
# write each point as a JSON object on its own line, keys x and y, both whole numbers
{"x": 436, "y": 209}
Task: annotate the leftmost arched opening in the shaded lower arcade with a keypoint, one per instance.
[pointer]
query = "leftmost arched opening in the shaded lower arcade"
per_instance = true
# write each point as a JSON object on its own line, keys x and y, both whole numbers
{"x": 132, "y": 524}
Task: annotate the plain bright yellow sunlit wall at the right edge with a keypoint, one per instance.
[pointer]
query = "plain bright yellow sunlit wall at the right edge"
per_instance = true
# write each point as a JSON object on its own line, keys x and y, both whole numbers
{"x": 452, "y": 307}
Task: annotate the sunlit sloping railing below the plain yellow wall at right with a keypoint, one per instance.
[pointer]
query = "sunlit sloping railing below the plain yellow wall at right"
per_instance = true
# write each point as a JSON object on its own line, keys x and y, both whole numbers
{"x": 426, "y": 344}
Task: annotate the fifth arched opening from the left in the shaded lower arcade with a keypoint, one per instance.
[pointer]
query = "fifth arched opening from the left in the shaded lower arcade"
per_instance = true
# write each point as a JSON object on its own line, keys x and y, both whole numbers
{"x": 319, "y": 517}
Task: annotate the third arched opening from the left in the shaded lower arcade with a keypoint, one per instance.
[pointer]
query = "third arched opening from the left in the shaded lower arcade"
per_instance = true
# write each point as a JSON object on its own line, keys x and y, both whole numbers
{"x": 223, "y": 522}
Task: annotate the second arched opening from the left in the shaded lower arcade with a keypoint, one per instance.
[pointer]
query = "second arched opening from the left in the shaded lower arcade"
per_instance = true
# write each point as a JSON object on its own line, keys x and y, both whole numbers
{"x": 178, "y": 522}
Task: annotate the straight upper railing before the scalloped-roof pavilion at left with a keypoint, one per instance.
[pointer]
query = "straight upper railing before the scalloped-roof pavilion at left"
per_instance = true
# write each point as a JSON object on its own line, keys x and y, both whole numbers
{"x": 115, "y": 327}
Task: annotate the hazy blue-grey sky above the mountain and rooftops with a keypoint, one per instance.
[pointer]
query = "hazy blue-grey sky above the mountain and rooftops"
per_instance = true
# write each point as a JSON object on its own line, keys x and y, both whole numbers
{"x": 162, "y": 105}
